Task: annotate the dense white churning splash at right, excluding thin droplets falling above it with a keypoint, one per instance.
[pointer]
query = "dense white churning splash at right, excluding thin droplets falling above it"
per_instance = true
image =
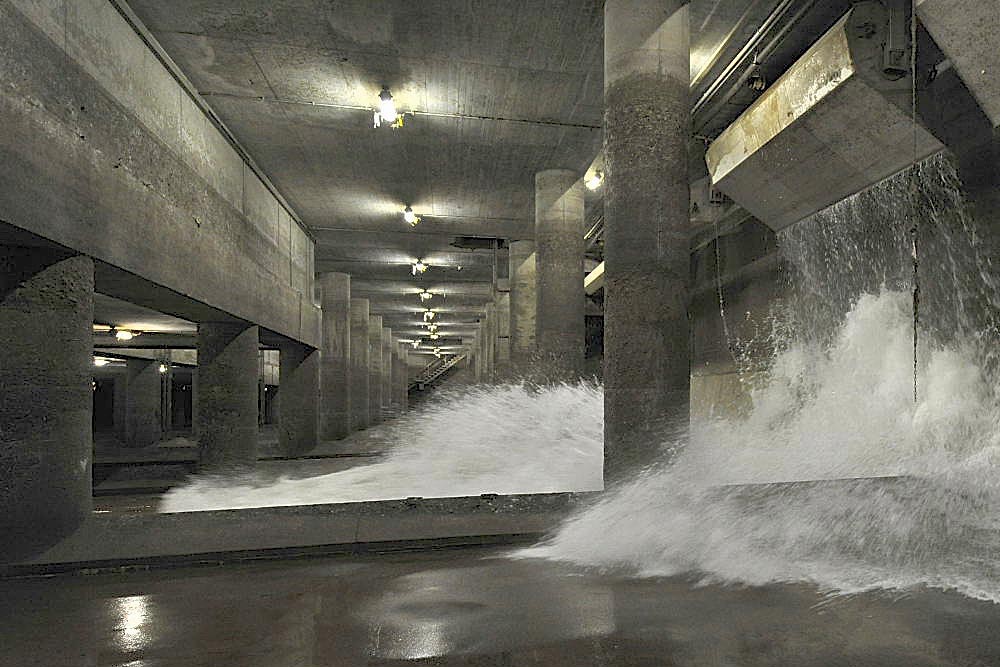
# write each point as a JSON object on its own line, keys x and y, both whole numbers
{"x": 825, "y": 415}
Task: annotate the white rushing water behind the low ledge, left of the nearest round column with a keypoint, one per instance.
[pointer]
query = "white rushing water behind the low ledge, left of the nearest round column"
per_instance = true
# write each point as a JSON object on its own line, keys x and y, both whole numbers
{"x": 503, "y": 439}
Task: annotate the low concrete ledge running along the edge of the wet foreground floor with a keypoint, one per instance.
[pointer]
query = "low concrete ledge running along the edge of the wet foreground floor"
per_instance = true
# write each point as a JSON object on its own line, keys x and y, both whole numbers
{"x": 122, "y": 540}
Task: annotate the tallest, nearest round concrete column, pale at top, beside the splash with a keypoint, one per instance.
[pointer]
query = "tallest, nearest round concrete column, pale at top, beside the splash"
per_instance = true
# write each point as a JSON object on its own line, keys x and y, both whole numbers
{"x": 646, "y": 130}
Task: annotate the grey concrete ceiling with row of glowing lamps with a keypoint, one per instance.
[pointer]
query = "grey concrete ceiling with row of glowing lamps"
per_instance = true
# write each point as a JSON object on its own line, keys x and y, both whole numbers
{"x": 498, "y": 89}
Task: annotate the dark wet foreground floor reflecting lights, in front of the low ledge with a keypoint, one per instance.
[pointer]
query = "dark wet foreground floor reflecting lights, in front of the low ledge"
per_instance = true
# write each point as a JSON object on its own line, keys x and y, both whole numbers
{"x": 470, "y": 607}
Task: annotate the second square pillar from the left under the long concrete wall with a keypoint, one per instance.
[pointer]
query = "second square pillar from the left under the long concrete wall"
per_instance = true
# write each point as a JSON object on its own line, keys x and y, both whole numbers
{"x": 228, "y": 378}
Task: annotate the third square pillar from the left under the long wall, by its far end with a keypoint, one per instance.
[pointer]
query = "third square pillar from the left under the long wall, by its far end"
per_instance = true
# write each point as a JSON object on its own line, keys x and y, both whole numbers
{"x": 298, "y": 394}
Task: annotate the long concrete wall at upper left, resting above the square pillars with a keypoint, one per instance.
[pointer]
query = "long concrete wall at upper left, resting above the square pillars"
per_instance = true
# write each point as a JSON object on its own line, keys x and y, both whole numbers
{"x": 103, "y": 151}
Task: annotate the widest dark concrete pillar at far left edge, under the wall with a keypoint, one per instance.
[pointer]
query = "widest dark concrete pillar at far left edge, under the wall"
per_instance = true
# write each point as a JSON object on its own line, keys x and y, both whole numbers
{"x": 46, "y": 367}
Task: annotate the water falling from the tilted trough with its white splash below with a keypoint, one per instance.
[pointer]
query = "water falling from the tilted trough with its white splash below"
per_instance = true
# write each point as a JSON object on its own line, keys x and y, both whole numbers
{"x": 835, "y": 476}
